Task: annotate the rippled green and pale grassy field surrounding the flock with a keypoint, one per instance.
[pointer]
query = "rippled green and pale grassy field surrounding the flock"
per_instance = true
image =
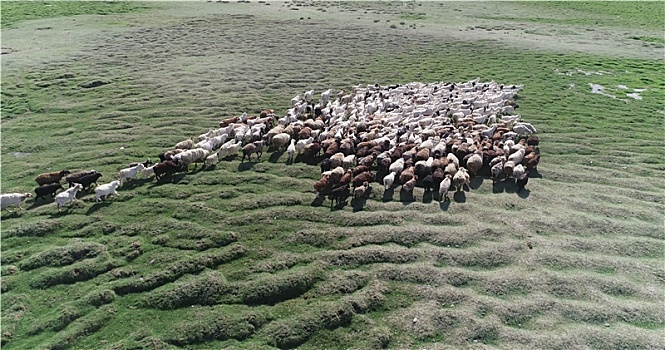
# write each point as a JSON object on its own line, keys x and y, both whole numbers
{"x": 246, "y": 256}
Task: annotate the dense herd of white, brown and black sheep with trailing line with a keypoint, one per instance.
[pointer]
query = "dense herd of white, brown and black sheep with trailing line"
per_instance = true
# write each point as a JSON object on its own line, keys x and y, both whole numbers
{"x": 435, "y": 135}
